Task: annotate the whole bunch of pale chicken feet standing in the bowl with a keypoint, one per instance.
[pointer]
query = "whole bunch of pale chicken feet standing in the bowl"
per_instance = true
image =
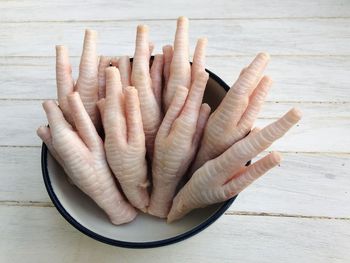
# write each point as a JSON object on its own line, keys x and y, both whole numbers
{"x": 125, "y": 124}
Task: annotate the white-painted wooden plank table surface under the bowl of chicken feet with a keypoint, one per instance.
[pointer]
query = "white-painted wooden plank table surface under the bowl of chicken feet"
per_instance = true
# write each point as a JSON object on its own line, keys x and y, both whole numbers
{"x": 299, "y": 212}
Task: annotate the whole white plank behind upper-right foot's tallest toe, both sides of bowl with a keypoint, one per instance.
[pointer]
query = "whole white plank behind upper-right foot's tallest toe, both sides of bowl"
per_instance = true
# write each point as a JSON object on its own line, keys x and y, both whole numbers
{"x": 316, "y": 79}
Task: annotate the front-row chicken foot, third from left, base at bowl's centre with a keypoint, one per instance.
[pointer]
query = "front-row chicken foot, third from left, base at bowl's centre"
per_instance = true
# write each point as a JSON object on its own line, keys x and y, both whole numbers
{"x": 177, "y": 142}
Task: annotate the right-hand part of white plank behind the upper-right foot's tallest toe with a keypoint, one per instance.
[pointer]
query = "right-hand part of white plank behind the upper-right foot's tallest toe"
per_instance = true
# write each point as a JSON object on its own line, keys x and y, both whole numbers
{"x": 317, "y": 79}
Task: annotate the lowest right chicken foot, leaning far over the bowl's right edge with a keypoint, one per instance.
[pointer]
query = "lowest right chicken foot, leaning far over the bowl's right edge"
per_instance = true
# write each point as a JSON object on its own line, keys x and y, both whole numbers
{"x": 224, "y": 177}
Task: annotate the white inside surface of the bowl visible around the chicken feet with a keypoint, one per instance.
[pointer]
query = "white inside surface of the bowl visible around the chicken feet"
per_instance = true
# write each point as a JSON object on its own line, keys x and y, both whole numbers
{"x": 85, "y": 215}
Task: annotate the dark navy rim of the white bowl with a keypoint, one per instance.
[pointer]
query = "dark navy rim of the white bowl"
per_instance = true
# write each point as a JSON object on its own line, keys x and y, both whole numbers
{"x": 126, "y": 244}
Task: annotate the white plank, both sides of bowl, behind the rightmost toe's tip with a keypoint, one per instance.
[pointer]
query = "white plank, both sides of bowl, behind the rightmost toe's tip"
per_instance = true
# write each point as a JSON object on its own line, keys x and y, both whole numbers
{"x": 21, "y": 118}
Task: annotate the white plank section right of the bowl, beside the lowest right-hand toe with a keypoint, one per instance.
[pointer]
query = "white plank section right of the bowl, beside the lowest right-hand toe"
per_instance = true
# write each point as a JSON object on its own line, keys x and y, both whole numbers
{"x": 304, "y": 184}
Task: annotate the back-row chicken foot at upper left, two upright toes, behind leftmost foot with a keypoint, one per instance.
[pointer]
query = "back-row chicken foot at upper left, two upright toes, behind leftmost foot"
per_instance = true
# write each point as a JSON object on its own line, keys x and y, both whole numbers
{"x": 87, "y": 83}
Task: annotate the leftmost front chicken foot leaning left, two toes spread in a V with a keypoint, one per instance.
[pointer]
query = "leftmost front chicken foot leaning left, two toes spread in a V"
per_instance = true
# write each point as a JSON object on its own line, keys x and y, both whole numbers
{"x": 82, "y": 154}
